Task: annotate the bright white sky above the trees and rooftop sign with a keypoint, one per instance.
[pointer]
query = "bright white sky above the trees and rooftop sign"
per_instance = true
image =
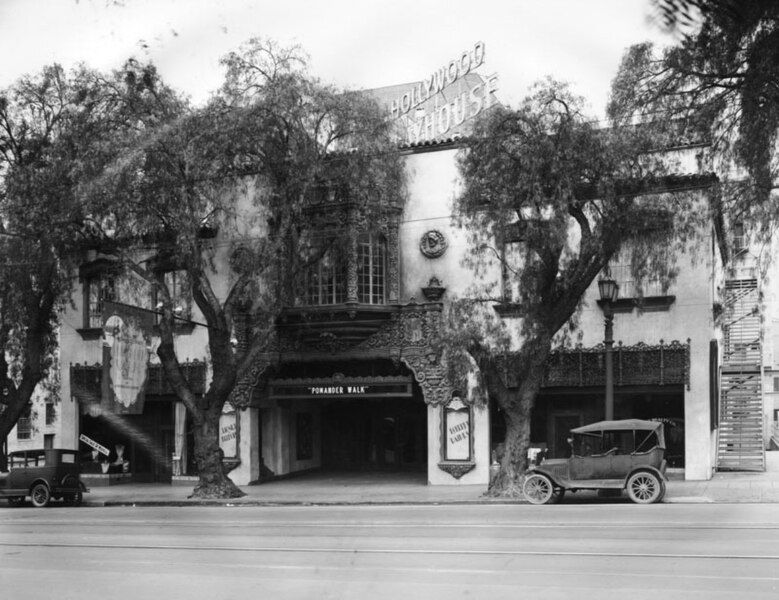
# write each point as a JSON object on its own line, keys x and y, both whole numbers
{"x": 351, "y": 43}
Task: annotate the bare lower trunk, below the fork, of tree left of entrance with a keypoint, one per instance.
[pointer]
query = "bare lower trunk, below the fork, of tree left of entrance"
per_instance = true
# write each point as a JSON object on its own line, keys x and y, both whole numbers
{"x": 214, "y": 482}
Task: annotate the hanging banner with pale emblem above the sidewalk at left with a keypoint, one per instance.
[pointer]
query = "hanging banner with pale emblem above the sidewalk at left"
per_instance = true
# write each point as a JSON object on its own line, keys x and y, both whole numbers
{"x": 126, "y": 346}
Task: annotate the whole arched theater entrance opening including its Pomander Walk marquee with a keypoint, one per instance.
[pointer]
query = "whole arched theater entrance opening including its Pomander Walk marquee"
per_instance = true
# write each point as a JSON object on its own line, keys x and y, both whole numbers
{"x": 343, "y": 416}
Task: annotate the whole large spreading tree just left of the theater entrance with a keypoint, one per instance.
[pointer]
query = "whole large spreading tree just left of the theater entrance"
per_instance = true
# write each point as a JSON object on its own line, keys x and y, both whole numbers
{"x": 221, "y": 192}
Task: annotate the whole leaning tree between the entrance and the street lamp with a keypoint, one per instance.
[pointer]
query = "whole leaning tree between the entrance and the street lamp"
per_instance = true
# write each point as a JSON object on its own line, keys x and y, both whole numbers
{"x": 549, "y": 199}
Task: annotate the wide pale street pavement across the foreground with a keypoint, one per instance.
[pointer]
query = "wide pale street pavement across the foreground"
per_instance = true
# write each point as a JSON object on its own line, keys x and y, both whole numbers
{"x": 426, "y": 552}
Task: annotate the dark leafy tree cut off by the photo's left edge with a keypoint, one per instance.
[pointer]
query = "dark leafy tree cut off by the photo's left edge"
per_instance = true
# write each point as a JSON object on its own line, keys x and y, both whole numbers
{"x": 38, "y": 228}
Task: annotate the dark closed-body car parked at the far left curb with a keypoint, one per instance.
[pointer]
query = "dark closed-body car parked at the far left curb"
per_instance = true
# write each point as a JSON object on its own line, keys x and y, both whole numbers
{"x": 42, "y": 475}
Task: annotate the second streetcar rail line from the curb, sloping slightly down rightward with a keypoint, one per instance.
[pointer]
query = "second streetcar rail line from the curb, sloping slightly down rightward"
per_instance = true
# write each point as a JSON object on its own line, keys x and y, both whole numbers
{"x": 398, "y": 551}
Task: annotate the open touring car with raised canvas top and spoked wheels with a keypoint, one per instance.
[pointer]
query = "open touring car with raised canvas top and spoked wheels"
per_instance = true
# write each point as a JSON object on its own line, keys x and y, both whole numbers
{"x": 609, "y": 455}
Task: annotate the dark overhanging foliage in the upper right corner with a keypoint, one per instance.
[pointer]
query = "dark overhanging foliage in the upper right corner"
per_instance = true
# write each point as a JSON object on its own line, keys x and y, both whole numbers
{"x": 721, "y": 80}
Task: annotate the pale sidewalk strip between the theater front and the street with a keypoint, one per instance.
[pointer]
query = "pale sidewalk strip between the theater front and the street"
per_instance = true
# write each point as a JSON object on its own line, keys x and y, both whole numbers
{"x": 389, "y": 488}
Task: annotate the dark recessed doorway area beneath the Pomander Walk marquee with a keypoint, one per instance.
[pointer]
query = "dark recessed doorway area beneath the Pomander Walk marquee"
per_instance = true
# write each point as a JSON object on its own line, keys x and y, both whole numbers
{"x": 387, "y": 434}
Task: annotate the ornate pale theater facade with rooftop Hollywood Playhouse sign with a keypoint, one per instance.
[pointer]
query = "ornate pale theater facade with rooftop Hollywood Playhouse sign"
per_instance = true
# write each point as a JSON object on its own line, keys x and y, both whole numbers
{"x": 354, "y": 379}
